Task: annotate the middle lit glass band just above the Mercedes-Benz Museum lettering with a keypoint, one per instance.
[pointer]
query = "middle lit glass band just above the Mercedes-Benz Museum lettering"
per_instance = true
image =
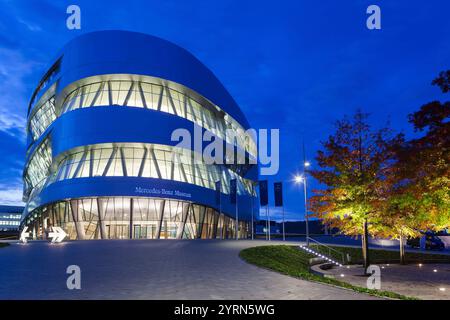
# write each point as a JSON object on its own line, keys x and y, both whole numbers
{"x": 148, "y": 161}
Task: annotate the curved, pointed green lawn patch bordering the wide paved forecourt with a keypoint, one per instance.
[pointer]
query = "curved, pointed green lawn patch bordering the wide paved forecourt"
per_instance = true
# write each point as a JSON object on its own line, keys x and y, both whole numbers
{"x": 291, "y": 261}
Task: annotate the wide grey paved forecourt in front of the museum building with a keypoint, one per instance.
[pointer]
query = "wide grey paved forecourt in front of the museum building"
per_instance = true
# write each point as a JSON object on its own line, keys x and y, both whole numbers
{"x": 149, "y": 269}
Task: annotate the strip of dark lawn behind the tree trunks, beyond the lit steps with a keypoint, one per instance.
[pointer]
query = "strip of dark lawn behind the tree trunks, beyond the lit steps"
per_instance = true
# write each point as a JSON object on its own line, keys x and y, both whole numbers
{"x": 382, "y": 256}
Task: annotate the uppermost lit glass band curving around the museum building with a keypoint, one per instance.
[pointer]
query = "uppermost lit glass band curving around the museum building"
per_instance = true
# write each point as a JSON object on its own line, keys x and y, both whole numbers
{"x": 147, "y": 95}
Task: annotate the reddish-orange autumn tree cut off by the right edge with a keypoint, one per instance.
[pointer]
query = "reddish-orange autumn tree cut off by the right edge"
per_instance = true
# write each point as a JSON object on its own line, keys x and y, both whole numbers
{"x": 417, "y": 191}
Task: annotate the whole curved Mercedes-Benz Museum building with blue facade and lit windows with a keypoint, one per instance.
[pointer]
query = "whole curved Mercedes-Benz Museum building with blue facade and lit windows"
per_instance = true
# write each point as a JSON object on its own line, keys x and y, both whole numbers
{"x": 100, "y": 160}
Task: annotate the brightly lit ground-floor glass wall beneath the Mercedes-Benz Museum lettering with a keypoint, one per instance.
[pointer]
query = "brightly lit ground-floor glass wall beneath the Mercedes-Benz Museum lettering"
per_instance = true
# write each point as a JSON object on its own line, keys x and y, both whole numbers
{"x": 134, "y": 218}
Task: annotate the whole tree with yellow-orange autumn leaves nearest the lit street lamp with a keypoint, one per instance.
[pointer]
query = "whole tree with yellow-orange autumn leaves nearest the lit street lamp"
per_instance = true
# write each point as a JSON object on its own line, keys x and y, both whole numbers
{"x": 353, "y": 162}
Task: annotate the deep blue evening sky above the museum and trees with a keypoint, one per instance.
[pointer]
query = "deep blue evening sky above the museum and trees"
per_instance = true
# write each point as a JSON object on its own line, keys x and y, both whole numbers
{"x": 294, "y": 65}
